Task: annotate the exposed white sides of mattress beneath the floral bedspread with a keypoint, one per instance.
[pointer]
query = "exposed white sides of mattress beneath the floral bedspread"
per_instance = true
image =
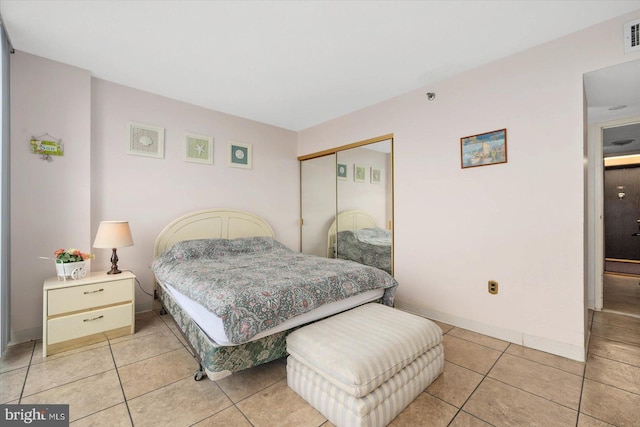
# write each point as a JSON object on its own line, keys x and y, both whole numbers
{"x": 213, "y": 327}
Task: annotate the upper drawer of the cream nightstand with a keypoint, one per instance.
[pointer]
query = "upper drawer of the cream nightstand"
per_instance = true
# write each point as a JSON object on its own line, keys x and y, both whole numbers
{"x": 76, "y": 298}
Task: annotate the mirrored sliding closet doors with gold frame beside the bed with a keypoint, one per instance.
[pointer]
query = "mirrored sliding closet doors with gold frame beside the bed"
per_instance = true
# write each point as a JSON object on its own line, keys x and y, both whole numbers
{"x": 347, "y": 203}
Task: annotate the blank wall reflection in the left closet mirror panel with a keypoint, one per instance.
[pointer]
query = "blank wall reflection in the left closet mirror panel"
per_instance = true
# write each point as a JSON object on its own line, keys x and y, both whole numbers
{"x": 318, "y": 202}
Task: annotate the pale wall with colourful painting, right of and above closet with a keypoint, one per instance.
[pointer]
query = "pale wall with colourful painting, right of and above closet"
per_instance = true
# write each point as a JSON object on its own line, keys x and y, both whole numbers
{"x": 520, "y": 223}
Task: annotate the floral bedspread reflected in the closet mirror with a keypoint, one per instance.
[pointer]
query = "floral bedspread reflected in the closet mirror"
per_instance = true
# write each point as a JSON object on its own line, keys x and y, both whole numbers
{"x": 369, "y": 246}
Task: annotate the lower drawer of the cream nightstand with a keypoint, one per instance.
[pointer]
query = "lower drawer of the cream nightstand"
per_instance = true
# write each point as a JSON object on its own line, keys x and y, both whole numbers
{"x": 87, "y": 323}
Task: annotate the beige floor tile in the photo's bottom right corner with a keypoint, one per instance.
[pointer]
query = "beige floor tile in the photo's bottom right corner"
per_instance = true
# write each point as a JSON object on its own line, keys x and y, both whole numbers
{"x": 610, "y": 404}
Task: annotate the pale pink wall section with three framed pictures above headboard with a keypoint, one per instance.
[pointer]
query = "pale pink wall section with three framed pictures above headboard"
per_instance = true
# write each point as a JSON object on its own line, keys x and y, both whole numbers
{"x": 150, "y": 192}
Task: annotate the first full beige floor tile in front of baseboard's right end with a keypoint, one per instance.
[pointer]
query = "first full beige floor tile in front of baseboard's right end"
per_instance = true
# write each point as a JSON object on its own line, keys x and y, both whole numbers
{"x": 542, "y": 380}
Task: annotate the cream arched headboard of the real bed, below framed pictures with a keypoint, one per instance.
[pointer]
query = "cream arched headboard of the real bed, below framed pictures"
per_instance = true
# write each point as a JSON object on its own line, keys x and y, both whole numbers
{"x": 211, "y": 224}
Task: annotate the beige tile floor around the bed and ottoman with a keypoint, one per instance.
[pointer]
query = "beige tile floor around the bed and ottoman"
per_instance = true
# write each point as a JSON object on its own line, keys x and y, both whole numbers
{"x": 147, "y": 380}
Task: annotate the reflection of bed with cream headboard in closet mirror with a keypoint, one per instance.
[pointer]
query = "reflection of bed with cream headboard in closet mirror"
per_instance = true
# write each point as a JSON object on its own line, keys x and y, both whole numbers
{"x": 355, "y": 236}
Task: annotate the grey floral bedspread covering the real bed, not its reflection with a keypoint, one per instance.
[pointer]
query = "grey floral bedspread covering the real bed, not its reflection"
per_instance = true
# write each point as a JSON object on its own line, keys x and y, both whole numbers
{"x": 255, "y": 283}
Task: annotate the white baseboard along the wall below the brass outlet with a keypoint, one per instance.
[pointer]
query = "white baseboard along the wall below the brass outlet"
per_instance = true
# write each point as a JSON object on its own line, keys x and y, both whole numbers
{"x": 517, "y": 337}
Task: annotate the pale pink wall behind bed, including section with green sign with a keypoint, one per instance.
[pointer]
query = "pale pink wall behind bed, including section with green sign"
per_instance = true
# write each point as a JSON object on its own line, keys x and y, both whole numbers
{"x": 60, "y": 204}
